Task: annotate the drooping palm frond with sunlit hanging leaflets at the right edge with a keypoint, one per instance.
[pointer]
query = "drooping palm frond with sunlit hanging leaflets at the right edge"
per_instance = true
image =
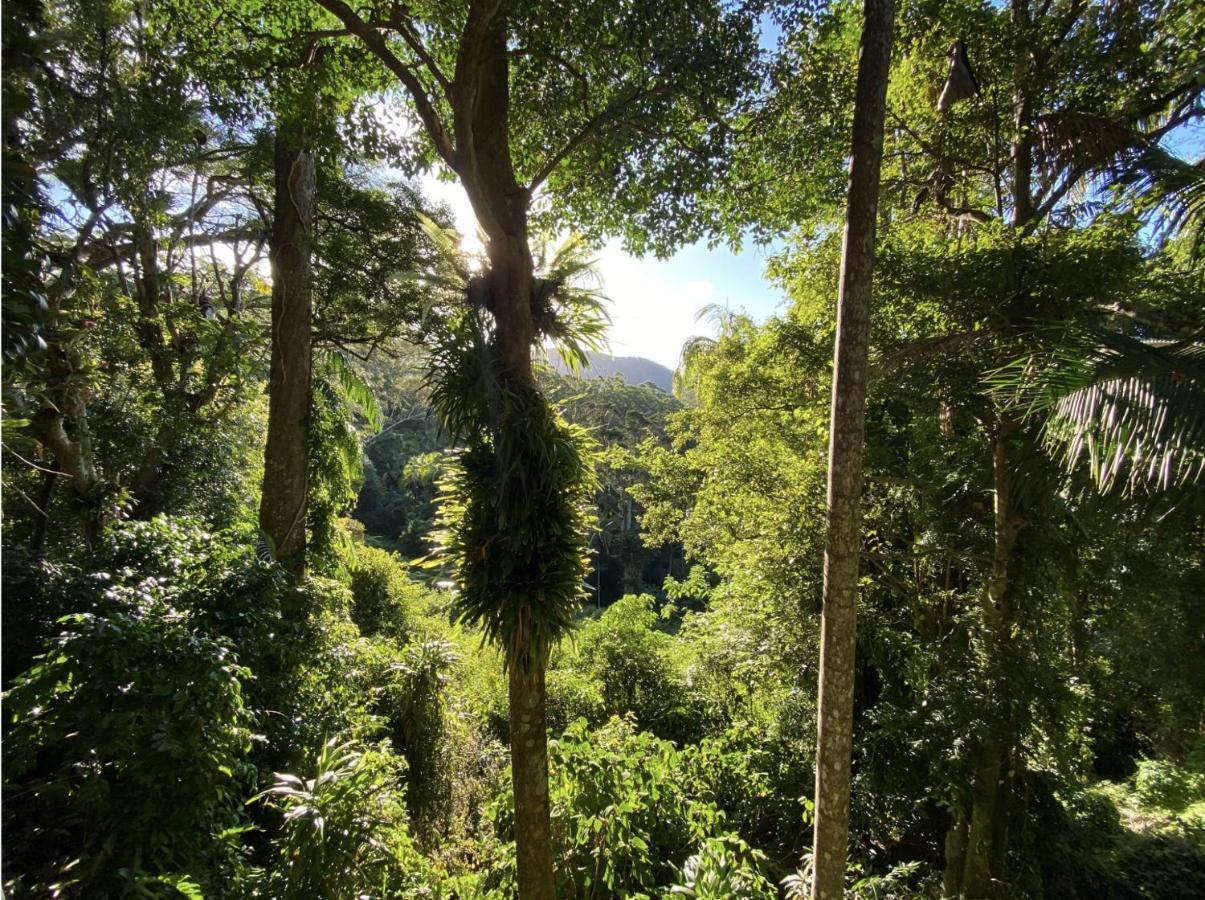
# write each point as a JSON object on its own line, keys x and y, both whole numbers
{"x": 1135, "y": 409}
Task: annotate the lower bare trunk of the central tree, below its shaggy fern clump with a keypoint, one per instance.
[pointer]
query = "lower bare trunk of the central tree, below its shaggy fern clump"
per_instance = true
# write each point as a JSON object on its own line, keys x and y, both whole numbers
{"x": 530, "y": 778}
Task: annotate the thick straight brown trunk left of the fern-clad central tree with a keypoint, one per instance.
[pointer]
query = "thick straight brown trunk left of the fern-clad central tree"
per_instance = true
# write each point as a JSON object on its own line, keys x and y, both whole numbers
{"x": 283, "y": 510}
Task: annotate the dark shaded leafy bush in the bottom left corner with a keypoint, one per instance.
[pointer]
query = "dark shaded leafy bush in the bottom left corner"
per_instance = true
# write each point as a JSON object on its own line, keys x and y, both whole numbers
{"x": 128, "y": 749}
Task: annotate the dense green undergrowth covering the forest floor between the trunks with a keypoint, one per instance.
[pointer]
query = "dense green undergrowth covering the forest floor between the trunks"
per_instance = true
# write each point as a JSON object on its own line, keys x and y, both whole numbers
{"x": 187, "y": 723}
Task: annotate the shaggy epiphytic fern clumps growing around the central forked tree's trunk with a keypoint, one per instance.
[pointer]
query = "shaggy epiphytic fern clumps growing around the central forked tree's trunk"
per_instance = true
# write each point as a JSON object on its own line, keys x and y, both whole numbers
{"x": 516, "y": 503}
